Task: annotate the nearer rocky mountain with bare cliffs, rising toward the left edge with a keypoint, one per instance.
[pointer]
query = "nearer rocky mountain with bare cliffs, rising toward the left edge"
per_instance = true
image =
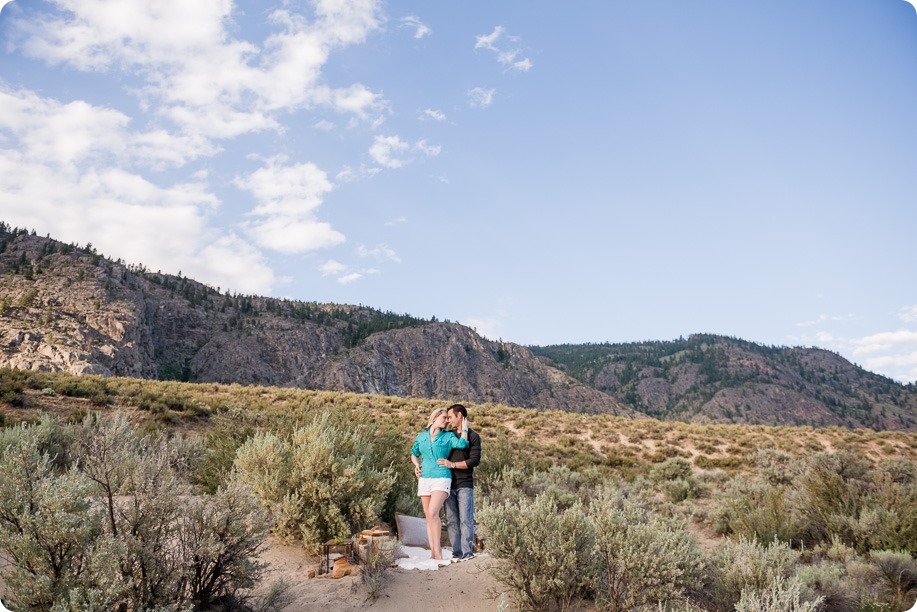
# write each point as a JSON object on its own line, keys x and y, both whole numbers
{"x": 69, "y": 309}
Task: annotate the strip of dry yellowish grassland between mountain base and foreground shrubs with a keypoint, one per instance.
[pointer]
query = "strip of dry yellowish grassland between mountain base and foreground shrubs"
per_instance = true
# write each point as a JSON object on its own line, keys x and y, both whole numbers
{"x": 549, "y": 436}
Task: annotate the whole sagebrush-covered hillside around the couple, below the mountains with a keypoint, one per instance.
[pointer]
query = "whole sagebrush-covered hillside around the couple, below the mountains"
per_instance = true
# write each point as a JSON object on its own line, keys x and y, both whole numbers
{"x": 127, "y": 478}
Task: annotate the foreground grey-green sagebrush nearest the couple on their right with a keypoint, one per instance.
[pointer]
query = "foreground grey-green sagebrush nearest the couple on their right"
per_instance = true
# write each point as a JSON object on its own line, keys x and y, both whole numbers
{"x": 544, "y": 552}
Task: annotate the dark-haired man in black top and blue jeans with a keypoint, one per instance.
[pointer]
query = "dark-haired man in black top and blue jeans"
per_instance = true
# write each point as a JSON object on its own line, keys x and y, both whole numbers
{"x": 460, "y": 503}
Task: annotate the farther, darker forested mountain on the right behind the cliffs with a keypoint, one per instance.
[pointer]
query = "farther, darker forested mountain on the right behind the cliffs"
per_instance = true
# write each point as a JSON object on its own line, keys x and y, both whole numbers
{"x": 708, "y": 378}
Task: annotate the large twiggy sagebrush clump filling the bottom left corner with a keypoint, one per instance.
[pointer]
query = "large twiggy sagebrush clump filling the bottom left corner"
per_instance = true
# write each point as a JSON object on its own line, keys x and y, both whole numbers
{"x": 117, "y": 529}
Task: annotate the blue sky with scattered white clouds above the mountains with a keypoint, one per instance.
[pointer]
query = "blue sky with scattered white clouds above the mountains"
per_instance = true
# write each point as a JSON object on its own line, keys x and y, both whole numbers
{"x": 544, "y": 172}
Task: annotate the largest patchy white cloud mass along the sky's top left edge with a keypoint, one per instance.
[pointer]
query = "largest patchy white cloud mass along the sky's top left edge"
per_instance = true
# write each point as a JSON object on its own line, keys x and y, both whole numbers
{"x": 196, "y": 73}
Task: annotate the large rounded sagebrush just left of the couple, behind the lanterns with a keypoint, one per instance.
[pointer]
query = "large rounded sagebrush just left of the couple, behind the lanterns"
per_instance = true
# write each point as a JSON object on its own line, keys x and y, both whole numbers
{"x": 321, "y": 480}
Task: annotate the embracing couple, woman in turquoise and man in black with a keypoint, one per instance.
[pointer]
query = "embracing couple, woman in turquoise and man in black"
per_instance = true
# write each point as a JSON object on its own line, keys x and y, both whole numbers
{"x": 444, "y": 461}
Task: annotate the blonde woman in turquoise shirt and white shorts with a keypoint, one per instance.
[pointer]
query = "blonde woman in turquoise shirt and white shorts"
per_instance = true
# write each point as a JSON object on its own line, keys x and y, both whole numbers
{"x": 434, "y": 480}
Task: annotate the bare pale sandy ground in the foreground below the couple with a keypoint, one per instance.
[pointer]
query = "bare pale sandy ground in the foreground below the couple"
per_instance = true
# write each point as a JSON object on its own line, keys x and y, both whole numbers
{"x": 467, "y": 586}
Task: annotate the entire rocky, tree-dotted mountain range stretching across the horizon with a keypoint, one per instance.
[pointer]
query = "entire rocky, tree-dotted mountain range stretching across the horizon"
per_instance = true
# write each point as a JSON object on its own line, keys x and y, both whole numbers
{"x": 69, "y": 308}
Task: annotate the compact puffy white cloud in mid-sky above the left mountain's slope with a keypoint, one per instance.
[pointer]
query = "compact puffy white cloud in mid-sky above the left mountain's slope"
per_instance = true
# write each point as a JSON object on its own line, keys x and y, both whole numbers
{"x": 288, "y": 197}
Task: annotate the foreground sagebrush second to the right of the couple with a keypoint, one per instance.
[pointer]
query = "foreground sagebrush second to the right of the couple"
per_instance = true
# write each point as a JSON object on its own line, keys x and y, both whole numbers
{"x": 644, "y": 558}
